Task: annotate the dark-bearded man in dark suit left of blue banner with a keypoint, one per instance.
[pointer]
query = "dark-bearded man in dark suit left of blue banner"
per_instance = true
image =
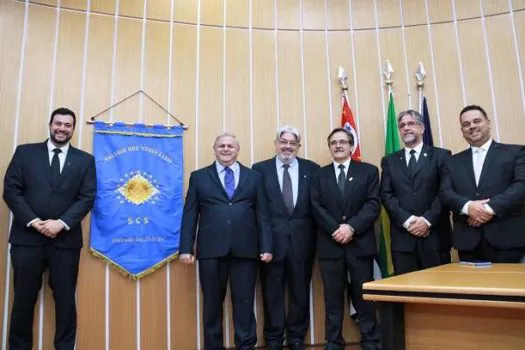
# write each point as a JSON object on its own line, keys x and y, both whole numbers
{"x": 49, "y": 187}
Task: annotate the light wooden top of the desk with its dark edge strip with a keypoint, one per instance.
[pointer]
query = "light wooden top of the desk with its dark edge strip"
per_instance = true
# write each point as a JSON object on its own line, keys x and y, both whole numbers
{"x": 496, "y": 285}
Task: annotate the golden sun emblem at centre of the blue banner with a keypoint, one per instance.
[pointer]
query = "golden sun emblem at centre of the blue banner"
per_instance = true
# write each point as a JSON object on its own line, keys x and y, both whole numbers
{"x": 137, "y": 187}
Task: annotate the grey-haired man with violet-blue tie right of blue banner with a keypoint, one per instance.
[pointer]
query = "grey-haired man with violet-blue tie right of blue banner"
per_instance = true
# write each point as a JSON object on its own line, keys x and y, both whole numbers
{"x": 227, "y": 205}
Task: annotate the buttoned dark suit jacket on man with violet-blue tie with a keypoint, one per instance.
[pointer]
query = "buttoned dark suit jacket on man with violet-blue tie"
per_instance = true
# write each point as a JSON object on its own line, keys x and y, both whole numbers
{"x": 238, "y": 226}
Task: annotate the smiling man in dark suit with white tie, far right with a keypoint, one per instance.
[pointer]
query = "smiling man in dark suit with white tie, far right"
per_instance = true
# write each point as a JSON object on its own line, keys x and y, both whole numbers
{"x": 484, "y": 186}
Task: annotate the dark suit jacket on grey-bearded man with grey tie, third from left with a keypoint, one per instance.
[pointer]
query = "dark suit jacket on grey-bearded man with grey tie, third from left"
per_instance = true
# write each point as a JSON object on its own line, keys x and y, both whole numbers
{"x": 300, "y": 226}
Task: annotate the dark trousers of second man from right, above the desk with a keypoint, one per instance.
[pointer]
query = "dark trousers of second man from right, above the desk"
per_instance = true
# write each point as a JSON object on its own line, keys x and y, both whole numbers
{"x": 418, "y": 259}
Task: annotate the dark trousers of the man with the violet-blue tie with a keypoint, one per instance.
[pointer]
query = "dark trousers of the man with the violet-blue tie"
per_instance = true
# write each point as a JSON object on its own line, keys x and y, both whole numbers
{"x": 214, "y": 275}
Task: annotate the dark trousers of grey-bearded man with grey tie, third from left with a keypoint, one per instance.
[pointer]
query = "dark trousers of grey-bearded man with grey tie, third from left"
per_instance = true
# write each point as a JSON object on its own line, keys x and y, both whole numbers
{"x": 275, "y": 277}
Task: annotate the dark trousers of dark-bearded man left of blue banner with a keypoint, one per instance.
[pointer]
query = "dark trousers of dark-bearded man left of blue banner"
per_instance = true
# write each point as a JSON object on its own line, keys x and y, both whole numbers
{"x": 29, "y": 263}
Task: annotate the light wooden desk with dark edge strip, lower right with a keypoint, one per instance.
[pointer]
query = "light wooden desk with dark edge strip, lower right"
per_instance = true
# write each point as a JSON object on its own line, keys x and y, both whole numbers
{"x": 452, "y": 307}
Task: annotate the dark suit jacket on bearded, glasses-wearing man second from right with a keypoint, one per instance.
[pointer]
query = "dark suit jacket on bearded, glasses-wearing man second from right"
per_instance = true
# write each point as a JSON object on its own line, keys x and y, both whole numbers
{"x": 403, "y": 197}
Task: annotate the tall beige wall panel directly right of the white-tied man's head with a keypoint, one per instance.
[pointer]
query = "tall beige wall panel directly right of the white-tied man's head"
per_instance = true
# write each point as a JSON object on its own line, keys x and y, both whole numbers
{"x": 505, "y": 80}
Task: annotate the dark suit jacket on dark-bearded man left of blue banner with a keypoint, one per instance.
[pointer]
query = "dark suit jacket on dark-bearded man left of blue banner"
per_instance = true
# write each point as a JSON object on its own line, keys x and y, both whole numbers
{"x": 29, "y": 193}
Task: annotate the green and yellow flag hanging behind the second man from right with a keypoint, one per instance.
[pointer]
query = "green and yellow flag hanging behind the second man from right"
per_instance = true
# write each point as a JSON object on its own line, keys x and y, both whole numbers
{"x": 391, "y": 145}
